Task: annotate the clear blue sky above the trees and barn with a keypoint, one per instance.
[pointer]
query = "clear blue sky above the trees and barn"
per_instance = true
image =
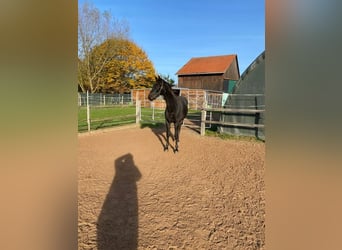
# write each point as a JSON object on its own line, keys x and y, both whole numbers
{"x": 173, "y": 31}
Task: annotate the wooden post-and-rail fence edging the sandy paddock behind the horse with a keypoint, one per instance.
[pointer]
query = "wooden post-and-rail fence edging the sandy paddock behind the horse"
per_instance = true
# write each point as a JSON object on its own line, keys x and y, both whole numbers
{"x": 210, "y": 112}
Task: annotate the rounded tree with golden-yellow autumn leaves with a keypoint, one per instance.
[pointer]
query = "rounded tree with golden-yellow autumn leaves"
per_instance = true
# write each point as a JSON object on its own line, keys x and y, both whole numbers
{"x": 128, "y": 67}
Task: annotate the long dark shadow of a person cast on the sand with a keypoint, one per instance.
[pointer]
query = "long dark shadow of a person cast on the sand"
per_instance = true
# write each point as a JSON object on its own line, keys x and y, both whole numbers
{"x": 117, "y": 225}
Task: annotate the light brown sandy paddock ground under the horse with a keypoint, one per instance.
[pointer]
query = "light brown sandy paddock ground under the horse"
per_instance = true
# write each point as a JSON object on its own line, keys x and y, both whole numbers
{"x": 133, "y": 195}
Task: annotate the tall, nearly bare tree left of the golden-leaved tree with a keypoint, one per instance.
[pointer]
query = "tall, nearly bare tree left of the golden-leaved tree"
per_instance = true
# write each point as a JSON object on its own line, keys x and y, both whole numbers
{"x": 94, "y": 28}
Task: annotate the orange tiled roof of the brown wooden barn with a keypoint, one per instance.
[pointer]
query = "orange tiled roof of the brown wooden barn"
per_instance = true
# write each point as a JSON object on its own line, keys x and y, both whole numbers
{"x": 207, "y": 65}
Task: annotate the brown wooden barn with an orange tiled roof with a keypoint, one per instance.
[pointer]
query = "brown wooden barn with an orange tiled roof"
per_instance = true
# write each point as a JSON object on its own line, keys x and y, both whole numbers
{"x": 218, "y": 73}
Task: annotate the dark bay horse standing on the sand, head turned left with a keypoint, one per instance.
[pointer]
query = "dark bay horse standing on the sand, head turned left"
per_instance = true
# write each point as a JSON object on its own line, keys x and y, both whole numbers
{"x": 176, "y": 108}
